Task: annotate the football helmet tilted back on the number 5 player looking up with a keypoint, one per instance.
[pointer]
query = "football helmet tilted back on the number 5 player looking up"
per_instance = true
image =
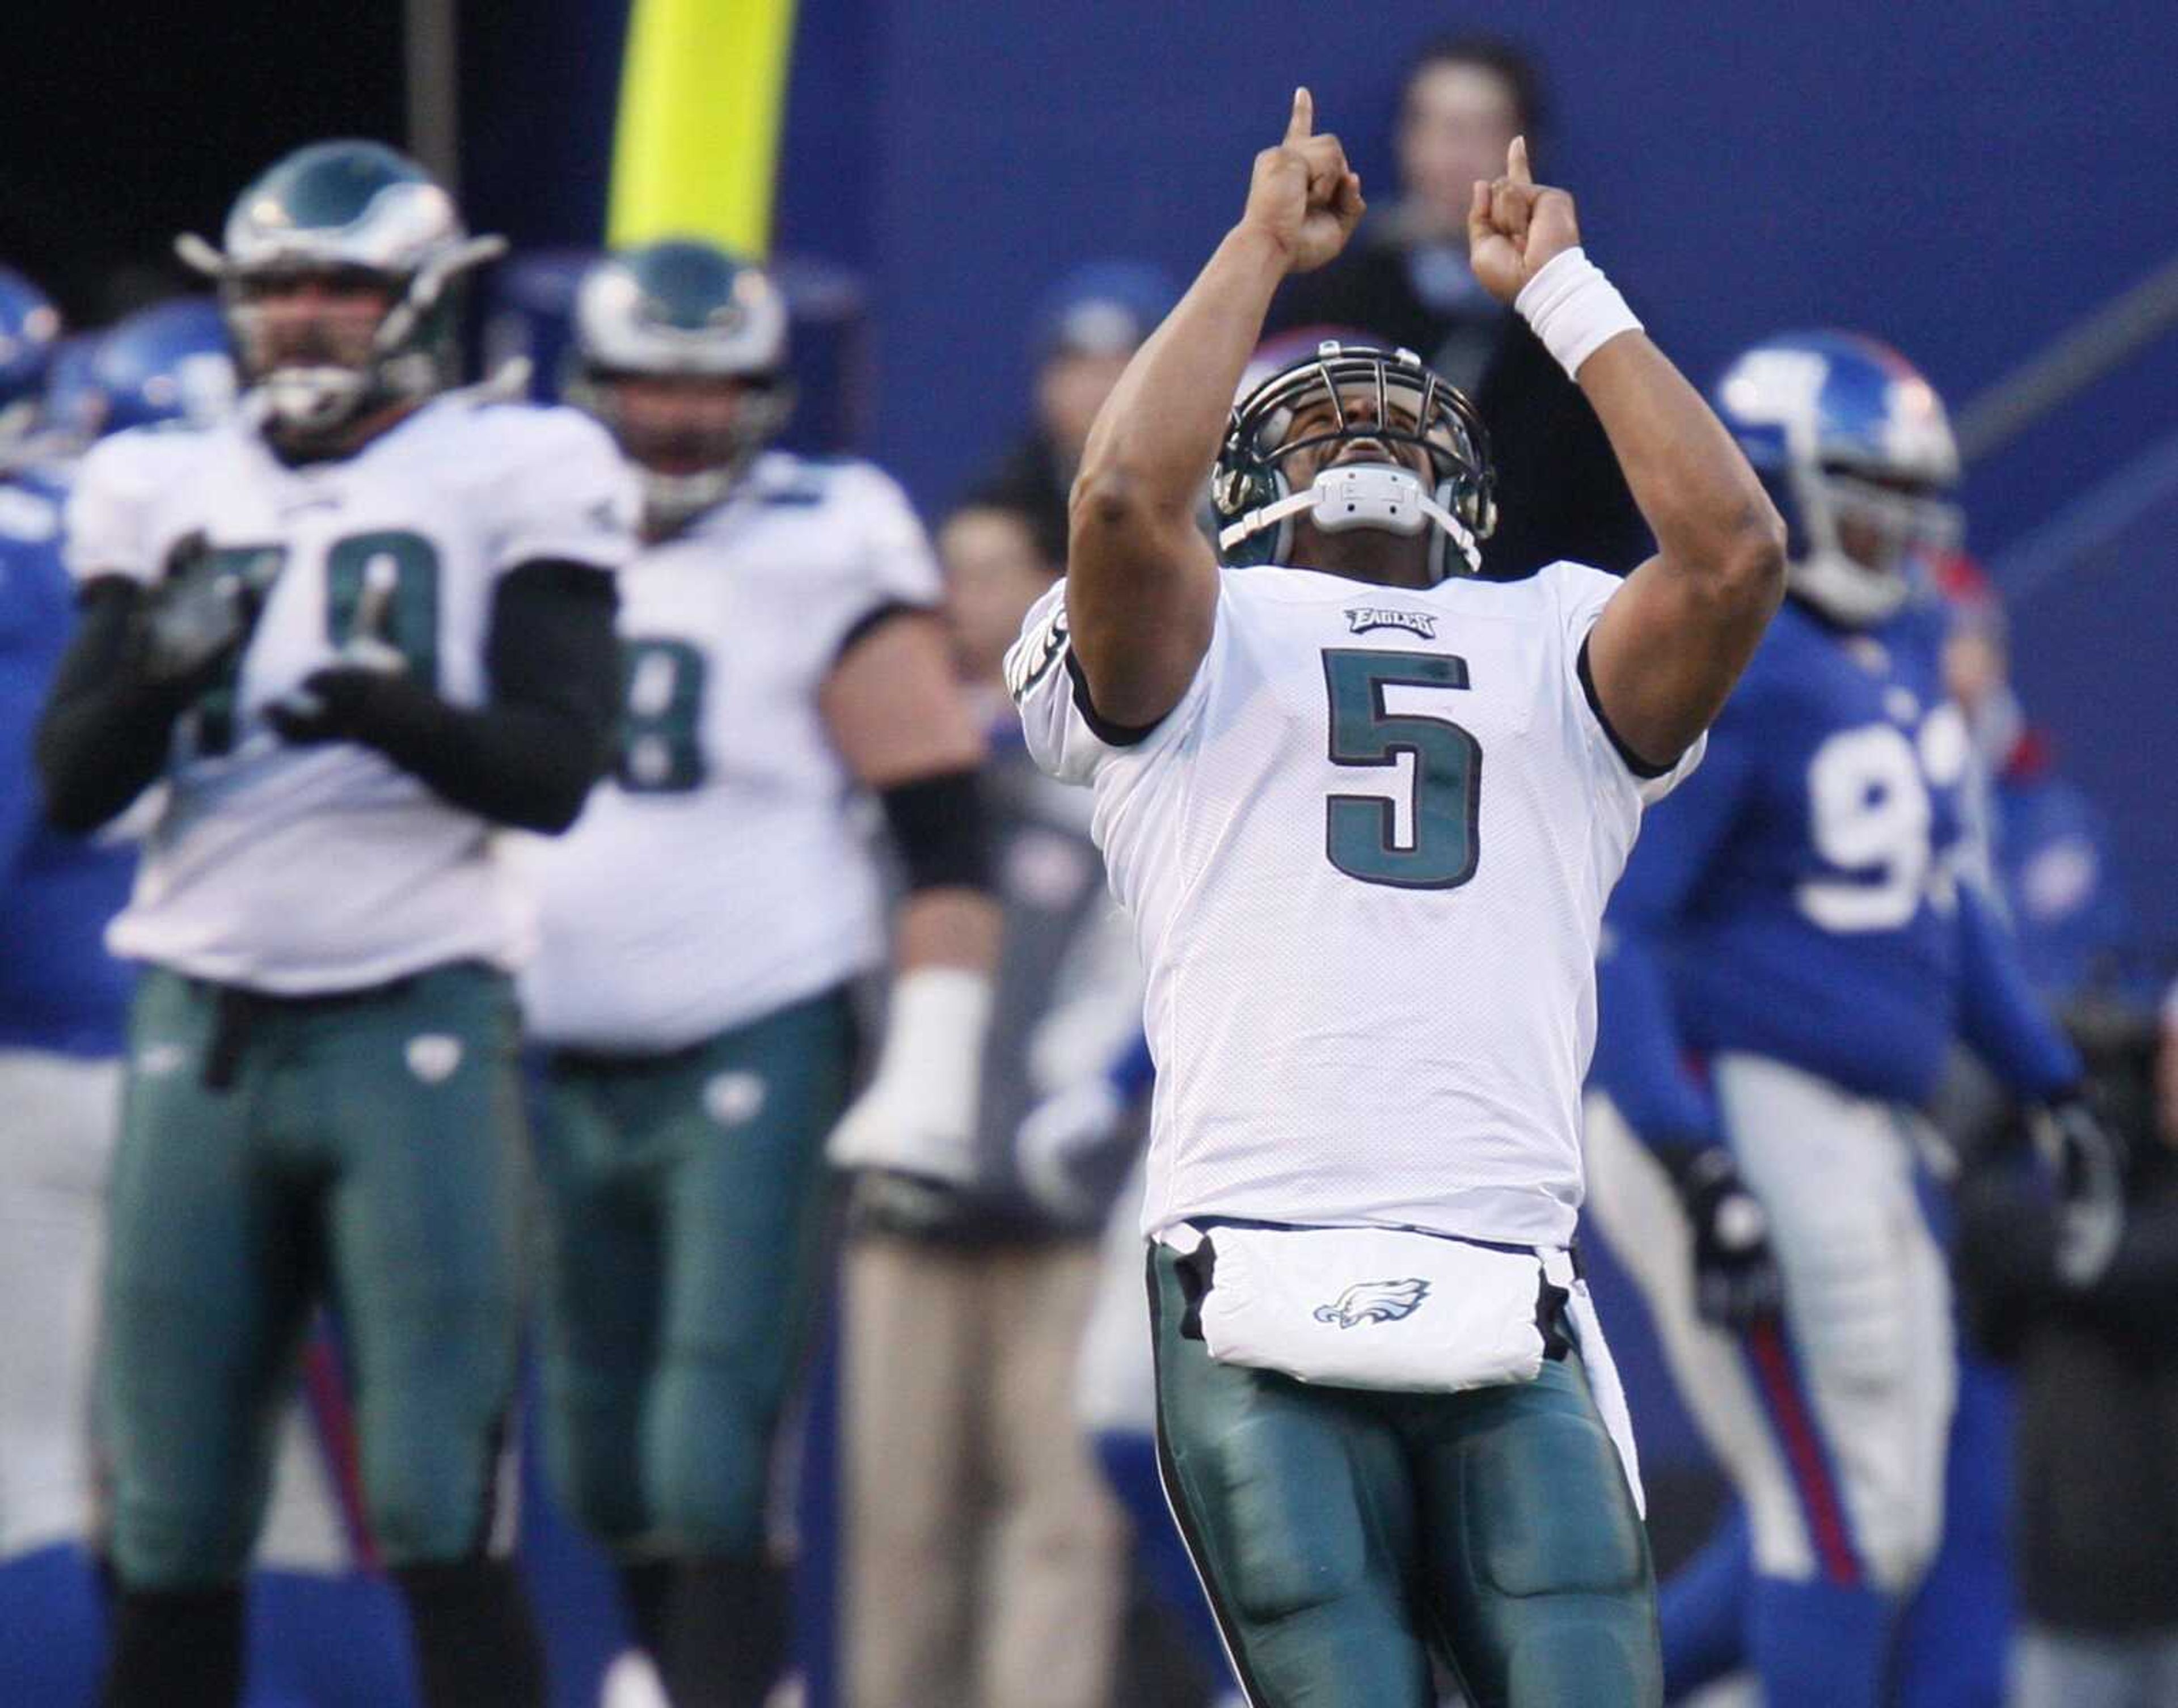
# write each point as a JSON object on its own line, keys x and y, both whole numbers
{"x": 1253, "y": 498}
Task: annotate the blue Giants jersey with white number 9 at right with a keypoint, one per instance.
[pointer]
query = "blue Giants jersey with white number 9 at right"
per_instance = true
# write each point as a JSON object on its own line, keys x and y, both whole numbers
{"x": 1802, "y": 899}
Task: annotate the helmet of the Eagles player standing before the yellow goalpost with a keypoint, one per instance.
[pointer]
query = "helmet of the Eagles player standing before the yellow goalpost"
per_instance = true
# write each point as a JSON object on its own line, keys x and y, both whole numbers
{"x": 683, "y": 310}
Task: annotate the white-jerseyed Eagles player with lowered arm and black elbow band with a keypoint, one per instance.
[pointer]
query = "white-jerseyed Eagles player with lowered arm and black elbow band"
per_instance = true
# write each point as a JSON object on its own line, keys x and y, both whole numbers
{"x": 700, "y": 927}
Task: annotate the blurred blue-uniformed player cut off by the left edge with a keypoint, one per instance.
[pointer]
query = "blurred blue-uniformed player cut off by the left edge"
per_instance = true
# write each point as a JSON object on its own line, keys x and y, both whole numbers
{"x": 62, "y": 1016}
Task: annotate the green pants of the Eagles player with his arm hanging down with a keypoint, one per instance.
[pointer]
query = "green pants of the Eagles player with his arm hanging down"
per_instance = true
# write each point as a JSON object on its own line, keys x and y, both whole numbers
{"x": 687, "y": 1215}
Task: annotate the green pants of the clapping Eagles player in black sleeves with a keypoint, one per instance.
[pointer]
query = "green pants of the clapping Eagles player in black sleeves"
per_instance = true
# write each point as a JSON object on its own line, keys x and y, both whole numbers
{"x": 273, "y": 1154}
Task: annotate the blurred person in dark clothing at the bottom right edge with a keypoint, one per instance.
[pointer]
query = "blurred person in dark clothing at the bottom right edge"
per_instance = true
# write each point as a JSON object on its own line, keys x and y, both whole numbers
{"x": 2099, "y": 1393}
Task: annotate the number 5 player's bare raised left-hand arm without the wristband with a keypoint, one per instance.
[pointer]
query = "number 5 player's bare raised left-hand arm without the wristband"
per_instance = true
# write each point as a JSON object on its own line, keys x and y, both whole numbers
{"x": 1142, "y": 583}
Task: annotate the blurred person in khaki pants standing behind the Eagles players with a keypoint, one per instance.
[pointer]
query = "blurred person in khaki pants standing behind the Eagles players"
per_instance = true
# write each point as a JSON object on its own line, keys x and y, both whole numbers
{"x": 986, "y": 1559}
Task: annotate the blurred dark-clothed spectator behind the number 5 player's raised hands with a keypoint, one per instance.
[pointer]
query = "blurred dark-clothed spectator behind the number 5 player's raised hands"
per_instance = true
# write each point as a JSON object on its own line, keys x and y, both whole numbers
{"x": 1406, "y": 280}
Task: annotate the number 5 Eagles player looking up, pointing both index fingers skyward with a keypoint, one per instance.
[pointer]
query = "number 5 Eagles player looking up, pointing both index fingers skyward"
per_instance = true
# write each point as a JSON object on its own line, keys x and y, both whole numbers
{"x": 1365, "y": 812}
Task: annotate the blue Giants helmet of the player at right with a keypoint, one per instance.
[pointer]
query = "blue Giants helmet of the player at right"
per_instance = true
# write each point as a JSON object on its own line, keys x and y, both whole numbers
{"x": 1859, "y": 456}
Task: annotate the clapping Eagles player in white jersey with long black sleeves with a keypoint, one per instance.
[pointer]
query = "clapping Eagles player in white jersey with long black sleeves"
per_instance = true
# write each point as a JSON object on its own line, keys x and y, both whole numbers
{"x": 354, "y": 633}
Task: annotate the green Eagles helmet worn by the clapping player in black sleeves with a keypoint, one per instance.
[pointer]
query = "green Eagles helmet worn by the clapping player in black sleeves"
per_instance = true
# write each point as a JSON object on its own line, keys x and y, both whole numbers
{"x": 345, "y": 212}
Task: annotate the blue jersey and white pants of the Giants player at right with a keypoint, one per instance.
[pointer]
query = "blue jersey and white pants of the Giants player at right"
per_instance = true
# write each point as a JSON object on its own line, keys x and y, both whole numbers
{"x": 1789, "y": 962}
